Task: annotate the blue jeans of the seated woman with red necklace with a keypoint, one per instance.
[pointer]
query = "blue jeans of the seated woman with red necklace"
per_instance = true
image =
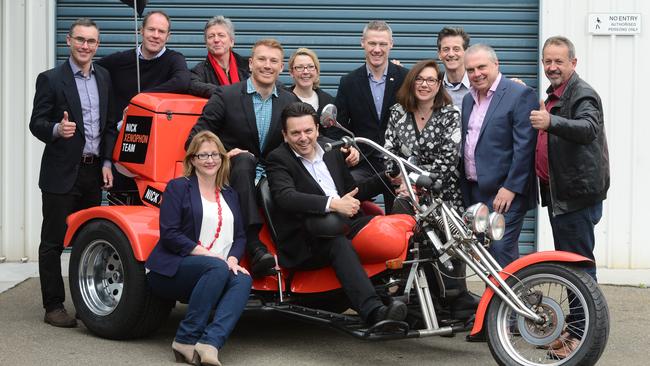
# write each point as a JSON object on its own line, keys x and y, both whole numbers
{"x": 205, "y": 283}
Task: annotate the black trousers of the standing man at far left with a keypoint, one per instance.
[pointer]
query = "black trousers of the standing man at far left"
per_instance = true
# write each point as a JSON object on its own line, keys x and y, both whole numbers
{"x": 86, "y": 192}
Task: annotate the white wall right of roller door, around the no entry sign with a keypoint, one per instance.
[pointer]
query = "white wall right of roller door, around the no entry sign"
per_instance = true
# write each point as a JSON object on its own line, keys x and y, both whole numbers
{"x": 613, "y": 65}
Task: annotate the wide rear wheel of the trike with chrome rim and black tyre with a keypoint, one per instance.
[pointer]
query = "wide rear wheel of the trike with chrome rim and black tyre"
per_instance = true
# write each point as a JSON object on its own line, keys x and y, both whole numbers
{"x": 108, "y": 285}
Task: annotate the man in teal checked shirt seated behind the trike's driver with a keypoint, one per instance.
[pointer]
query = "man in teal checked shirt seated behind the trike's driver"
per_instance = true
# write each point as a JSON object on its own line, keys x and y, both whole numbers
{"x": 246, "y": 117}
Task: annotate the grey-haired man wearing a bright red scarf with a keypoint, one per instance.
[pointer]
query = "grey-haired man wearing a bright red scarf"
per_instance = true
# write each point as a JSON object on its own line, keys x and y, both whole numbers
{"x": 222, "y": 66}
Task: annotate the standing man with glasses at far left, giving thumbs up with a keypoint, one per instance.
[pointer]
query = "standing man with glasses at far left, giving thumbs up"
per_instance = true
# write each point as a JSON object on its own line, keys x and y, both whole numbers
{"x": 71, "y": 115}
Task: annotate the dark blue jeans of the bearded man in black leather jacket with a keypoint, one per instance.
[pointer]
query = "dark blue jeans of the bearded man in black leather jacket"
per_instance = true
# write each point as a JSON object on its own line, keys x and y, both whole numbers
{"x": 574, "y": 232}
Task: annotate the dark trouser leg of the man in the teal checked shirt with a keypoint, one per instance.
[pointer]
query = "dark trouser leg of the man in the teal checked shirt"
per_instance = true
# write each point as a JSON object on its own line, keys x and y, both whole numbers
{"x": 242, "y": 180}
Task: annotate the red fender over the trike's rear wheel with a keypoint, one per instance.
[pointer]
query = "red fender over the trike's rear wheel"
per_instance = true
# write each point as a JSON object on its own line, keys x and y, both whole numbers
{"x": 139, "y": 223}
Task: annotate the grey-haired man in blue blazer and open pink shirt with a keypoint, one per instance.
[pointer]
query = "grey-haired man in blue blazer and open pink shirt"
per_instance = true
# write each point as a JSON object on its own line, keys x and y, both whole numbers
{"x": 498, "y": 146}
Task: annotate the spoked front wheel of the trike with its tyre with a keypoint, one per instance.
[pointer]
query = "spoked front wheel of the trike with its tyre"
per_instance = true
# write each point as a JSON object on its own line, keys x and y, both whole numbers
{"x": 575, "y": 313}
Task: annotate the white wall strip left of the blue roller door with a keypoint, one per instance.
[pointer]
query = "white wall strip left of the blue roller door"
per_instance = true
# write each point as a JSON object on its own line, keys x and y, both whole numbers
{"x": 27, "y": 48}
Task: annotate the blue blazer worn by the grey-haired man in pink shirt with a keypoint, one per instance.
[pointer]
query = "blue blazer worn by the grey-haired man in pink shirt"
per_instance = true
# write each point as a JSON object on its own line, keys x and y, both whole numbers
{"x": 505, "y": 150}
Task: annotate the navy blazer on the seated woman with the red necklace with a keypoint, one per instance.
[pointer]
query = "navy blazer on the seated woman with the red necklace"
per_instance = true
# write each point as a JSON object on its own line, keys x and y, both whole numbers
{"x": 181, "y": 214}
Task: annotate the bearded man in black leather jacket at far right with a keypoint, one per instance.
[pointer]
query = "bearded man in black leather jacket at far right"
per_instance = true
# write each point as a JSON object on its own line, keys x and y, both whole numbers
{"x": 571, "y": 161}
